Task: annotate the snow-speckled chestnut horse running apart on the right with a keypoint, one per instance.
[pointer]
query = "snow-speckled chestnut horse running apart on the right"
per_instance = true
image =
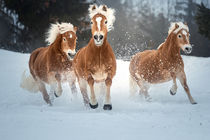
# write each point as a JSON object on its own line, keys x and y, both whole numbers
{"x": 162, "y": 65}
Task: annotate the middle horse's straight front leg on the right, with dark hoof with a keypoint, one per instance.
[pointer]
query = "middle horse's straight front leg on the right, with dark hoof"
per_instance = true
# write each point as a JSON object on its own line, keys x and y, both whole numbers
{"x": 108, "y": 105}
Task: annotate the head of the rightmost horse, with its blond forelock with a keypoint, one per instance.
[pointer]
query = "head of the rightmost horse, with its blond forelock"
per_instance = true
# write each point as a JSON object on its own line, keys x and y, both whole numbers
{"x": 182, "y": 37}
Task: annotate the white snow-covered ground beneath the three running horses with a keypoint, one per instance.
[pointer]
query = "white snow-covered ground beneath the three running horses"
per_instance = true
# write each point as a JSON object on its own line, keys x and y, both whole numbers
{"x": 25, "y": 115}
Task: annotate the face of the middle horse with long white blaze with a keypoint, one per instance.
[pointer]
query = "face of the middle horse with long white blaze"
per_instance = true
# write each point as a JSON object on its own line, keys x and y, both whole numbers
{"x": 99, "y": 29}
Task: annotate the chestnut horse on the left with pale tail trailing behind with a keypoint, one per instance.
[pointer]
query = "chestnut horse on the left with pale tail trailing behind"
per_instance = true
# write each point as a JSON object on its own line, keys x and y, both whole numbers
{"x": 52, "y": 65}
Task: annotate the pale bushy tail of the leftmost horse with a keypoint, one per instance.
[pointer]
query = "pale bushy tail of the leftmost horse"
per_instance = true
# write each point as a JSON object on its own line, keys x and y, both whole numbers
{"x": 29, "y": 83}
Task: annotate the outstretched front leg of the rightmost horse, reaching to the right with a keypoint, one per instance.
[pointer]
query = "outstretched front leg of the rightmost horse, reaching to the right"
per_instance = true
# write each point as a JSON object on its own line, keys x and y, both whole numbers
{"x": 183, "y": 81}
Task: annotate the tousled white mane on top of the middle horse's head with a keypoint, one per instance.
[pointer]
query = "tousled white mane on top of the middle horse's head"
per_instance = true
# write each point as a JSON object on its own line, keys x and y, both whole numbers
{"x": 109, "y": 14}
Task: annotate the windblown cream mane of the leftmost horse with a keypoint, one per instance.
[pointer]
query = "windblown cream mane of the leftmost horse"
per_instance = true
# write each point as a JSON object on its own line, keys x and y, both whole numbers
{"x": 56, "y": 29}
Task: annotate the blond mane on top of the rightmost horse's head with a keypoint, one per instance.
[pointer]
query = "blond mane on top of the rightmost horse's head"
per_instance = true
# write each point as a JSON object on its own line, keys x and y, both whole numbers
{"x": 181, "y": 26}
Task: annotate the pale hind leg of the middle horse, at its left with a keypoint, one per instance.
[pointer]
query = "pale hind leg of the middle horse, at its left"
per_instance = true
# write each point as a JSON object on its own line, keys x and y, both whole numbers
{"x": 83, "y": 89}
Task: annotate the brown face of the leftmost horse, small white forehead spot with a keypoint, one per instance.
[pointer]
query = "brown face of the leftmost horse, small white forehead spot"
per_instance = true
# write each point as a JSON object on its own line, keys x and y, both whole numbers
{"x": 68, "y": 43}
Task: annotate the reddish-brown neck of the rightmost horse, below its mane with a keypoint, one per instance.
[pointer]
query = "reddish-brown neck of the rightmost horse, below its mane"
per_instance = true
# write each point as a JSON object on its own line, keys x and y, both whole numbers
{"x": 170, "y": 50}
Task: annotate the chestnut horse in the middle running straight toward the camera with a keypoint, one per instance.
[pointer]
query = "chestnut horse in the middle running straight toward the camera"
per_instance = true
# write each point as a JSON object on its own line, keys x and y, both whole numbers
{"x": 96, "y": 62}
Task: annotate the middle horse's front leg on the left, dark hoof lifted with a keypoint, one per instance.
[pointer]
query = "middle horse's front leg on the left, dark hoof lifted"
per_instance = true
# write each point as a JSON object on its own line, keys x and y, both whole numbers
{"x": 93, "y": 103}
